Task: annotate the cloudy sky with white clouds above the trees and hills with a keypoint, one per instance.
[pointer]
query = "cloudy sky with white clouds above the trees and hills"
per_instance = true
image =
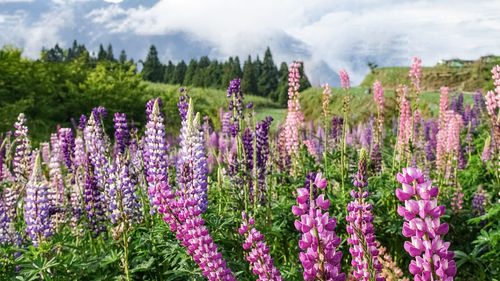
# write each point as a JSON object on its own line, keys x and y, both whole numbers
{"x": 327, "y": 35}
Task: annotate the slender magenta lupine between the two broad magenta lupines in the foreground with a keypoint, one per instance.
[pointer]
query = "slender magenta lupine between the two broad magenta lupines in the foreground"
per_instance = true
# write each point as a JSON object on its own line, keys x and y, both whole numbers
{"x": 362, "y": 238}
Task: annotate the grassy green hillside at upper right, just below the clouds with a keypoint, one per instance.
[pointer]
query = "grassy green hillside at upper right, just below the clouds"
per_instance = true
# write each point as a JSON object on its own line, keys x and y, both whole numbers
{"x": 469, "y": 77}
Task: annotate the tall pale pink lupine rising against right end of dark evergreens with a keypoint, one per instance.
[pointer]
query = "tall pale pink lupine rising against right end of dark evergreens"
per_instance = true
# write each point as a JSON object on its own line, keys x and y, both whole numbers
{"x": 294, "y": 117}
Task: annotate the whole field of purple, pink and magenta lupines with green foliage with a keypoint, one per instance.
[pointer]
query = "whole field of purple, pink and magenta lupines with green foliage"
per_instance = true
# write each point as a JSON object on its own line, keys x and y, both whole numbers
{"x": 399, "y": 191}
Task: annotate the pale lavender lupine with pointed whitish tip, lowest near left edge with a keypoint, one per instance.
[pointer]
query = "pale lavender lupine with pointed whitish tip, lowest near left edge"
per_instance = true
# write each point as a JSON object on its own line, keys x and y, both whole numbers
{"x": 36, "y": 207}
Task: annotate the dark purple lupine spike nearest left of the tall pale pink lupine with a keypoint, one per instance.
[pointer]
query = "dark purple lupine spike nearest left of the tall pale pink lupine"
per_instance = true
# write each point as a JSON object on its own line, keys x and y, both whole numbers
{"x": 262, "y": 152}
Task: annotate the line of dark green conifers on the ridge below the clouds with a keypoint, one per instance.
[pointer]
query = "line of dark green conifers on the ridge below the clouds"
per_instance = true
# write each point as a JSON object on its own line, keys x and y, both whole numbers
{"x": 261, "y": 78}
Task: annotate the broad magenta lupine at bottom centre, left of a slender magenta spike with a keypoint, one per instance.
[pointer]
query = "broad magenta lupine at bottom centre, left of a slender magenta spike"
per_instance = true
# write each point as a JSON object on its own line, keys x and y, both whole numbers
{"x": 318, "y": 242}
